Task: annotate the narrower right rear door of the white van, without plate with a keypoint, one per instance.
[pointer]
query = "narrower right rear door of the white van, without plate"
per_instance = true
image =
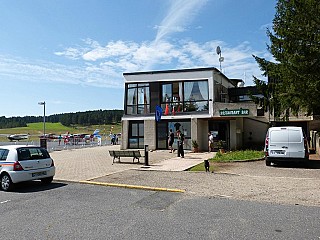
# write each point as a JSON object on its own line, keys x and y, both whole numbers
{"x": 296, "y": 143}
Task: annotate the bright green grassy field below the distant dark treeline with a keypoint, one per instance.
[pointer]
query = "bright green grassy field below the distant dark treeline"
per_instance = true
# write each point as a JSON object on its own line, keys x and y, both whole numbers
{"x": 36, "y": 129}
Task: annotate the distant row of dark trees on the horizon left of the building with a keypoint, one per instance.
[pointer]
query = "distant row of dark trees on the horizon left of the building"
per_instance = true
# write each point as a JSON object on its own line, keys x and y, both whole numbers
{"x": 67, "y": 119}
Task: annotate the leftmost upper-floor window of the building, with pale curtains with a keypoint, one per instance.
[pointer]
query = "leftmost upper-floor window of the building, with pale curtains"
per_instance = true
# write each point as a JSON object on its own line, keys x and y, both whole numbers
{"x": 138, "y": 99}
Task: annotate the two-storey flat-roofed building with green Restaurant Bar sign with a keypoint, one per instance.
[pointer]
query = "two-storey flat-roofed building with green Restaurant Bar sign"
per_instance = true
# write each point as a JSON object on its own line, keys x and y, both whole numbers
{"x": 195, "y": 101}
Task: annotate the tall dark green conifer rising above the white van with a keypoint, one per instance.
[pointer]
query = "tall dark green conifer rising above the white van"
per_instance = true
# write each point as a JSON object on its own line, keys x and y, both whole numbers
{"x": 295, "y": 45}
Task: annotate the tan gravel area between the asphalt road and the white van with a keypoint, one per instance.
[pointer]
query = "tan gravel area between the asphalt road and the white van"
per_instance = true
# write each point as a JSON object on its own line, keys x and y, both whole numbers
{"x": 246, "y": 180}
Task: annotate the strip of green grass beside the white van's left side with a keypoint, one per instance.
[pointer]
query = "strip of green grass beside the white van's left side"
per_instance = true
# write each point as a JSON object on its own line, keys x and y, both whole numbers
{"x": 246, "y": 155}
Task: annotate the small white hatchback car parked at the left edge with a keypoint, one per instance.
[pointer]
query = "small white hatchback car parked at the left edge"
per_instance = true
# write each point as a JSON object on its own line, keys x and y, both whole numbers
{"x": 20, "y": 163}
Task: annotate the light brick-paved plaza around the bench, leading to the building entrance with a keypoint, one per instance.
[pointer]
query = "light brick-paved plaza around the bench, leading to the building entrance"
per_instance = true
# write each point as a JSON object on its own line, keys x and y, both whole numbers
{"x": 89, "y": 163}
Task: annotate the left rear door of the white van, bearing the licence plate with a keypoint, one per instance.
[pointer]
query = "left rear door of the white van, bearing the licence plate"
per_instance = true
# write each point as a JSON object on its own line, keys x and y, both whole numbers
{"x": 278, "y": 142}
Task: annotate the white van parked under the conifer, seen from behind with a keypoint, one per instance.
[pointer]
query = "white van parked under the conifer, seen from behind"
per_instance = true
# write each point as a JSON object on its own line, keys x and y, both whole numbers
{"x": 285, "y": 144}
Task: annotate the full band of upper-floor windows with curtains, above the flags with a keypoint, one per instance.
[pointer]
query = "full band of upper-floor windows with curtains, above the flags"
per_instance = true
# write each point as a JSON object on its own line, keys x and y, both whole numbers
{"x": 173, "y": 97}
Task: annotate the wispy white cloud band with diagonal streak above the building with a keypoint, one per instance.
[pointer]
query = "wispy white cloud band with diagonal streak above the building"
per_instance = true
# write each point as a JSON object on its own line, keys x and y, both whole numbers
{"x": 102, "y": 65}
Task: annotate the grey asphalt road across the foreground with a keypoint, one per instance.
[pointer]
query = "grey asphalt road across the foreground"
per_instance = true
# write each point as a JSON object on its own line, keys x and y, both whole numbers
{"x": 80, "y": 211}
